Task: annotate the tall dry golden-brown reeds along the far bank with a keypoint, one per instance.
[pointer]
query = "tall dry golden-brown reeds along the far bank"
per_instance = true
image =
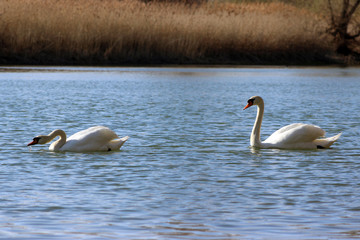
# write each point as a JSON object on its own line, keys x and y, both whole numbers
{"x": 111, "y": 32}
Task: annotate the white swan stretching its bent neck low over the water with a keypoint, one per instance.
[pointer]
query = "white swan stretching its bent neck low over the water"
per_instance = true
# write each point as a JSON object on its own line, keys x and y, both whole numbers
{"x": 93, "y": 139}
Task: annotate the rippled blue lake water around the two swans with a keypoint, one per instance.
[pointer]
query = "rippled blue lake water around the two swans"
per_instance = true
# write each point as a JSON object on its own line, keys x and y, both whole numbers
{"x": 187, "y": 171}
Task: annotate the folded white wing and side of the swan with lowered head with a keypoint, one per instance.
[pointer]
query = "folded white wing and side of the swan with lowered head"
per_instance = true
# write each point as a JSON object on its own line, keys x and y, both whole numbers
{"x": 92, "y": 139}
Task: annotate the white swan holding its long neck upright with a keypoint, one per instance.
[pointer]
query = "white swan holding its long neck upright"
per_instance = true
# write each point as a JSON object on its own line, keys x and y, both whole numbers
{"x": 293, "y": 136}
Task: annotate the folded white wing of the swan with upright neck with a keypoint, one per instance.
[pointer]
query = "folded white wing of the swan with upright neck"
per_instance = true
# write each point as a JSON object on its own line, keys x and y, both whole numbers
{"x": 295, "y": 133}
